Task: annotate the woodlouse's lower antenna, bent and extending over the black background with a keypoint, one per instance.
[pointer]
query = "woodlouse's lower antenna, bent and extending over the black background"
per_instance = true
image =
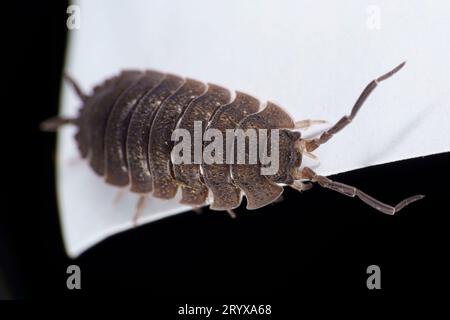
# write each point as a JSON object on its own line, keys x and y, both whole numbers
{"x": 351, "y": 191}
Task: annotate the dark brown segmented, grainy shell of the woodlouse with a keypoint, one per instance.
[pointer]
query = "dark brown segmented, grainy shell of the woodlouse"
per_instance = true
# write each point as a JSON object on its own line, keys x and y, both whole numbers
{"x": 125, "y": 128}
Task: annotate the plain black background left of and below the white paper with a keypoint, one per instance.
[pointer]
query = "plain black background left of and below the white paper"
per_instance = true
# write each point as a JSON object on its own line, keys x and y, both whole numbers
{"x": 317, "y": 243}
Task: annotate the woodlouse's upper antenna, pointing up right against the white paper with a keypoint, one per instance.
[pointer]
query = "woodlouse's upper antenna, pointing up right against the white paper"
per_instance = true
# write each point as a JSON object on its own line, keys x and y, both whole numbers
{"x": 311, "y": 145}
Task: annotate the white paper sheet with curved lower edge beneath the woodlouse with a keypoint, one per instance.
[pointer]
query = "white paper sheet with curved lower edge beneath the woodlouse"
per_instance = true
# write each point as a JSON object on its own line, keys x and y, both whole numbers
{"x": 311, "y": 57}
